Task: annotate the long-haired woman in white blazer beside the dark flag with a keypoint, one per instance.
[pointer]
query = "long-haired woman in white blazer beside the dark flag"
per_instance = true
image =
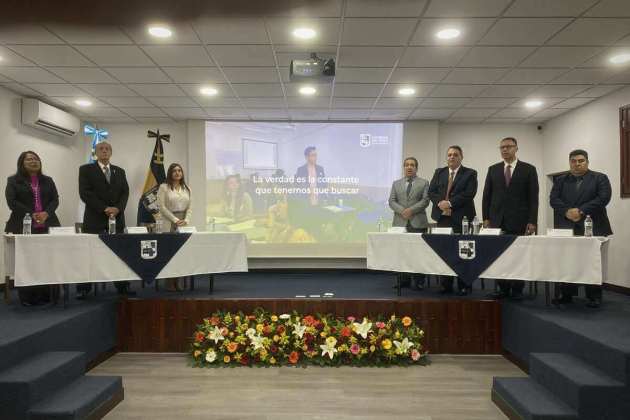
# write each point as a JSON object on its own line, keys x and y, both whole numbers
{"x": 175, "y": 209}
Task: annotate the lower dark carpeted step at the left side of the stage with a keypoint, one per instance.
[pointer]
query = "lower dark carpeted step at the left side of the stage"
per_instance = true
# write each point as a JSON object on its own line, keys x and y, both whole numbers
{"x": 87, "y": 397}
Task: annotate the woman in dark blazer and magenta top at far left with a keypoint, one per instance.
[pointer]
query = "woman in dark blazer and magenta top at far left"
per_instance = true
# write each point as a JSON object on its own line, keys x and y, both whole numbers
{"x": 30, "y": 191}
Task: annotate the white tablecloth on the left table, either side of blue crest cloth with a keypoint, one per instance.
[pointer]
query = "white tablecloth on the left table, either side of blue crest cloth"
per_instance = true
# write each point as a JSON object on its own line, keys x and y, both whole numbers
{"x": 84, "y": 258}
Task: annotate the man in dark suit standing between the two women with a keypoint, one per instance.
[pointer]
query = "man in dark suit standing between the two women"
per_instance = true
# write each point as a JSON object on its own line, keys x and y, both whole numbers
{"x": 104, "y": 190}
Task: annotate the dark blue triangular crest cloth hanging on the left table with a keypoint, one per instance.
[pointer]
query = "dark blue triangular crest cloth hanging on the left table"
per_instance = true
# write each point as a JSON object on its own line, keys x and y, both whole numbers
{"x": 146, "y": 254}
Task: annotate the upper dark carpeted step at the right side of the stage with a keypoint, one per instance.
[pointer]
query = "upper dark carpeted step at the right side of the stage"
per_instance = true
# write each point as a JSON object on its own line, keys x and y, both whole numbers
{"x": 590, "y": 391}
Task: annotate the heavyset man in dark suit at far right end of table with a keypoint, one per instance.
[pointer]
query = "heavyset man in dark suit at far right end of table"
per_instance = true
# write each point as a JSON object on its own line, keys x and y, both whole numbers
{"x": 575, "y": 195}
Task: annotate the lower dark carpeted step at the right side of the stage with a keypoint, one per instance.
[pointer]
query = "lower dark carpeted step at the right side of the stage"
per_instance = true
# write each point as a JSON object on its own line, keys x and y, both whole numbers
{"x": 523, "y": 398}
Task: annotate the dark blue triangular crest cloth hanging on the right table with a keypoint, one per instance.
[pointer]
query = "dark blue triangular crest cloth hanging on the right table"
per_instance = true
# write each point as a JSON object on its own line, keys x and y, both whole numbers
{"x": 469, "y": 255}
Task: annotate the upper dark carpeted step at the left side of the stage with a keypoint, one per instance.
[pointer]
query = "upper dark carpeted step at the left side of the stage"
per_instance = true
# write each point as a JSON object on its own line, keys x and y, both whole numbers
{"x": 28, "y": 382}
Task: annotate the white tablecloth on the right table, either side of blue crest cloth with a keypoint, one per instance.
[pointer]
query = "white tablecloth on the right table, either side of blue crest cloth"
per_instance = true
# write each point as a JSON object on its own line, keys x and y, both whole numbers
{"x": 531, "y": 258}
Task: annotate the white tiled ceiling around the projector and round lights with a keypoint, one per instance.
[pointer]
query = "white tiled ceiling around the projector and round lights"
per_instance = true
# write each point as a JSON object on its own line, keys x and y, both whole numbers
{"x": 509, "y": 51}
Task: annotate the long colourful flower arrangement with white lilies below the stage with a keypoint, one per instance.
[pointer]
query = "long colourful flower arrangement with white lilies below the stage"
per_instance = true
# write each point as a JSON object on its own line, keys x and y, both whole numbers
{"x": 266, "y": 339}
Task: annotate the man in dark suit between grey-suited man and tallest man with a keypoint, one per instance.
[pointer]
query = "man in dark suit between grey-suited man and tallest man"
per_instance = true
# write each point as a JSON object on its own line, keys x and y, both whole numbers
{"x": 452, "y": 191}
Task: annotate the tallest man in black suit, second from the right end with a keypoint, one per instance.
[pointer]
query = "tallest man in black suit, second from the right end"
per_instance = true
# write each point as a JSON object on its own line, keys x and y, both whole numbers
{"x": 510, "y": 202}
